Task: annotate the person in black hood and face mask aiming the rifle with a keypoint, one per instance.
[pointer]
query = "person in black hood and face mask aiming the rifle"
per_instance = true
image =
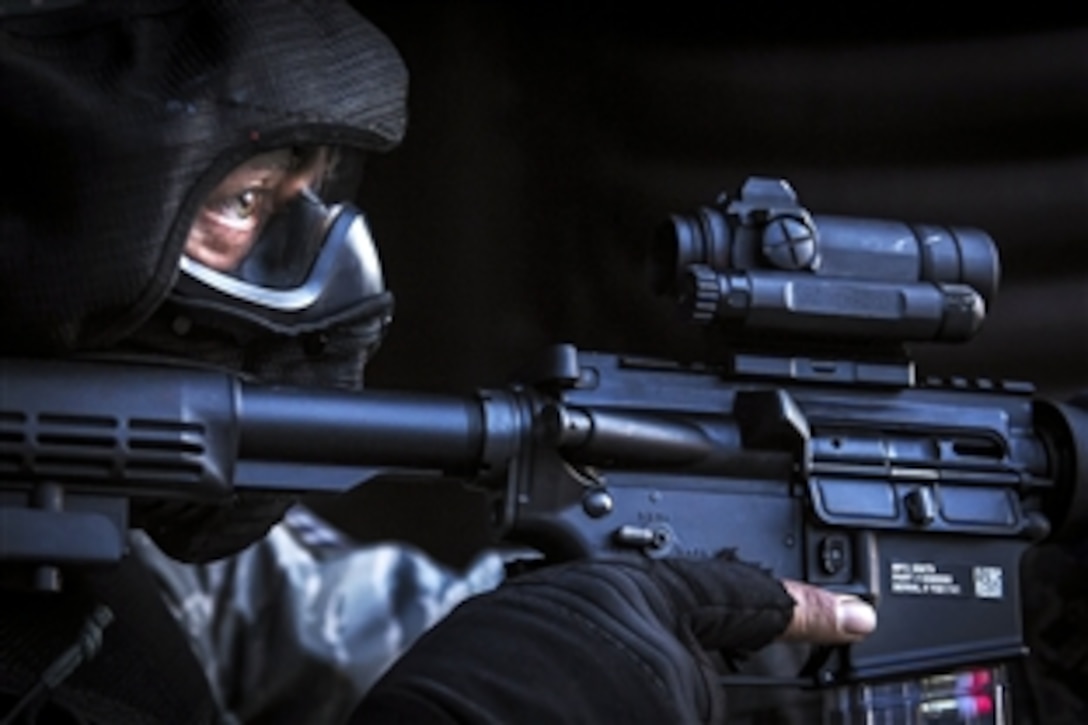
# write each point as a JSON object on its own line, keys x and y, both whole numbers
{"x": 188, "y": 208}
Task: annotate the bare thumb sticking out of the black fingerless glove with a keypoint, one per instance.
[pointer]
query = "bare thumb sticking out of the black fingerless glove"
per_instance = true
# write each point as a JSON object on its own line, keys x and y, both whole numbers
{"x": 825, "y": 618}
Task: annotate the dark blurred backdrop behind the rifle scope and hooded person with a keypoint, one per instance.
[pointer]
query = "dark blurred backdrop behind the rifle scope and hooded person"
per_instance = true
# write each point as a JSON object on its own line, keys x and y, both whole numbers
{"x": 547, "y": 142}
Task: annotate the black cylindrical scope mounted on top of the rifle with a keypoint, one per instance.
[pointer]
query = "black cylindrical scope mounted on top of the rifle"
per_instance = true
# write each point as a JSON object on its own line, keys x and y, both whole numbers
{"x": 759, "y": 263}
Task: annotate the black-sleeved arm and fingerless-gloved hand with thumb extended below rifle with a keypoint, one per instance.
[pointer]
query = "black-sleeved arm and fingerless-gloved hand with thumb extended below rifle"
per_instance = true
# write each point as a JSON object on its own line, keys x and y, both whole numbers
{"x": 595, "y": 642}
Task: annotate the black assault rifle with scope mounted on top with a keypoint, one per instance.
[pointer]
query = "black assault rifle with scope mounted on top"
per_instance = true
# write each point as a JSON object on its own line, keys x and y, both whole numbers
{"x": 807, "y": 446}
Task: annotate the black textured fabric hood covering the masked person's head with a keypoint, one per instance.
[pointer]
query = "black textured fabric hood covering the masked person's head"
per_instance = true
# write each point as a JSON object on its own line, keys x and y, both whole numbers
{"x": 117, "y": 118}
